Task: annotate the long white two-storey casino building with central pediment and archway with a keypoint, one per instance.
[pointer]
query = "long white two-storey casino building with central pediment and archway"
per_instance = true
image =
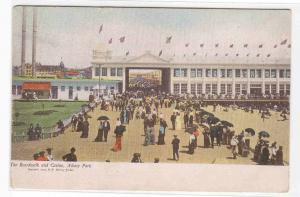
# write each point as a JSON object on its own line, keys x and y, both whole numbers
{"x": 230, "y": 76}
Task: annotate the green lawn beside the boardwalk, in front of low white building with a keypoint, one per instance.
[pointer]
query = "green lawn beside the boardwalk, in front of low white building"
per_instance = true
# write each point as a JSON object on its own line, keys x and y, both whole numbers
{"x": 30, "y": 112}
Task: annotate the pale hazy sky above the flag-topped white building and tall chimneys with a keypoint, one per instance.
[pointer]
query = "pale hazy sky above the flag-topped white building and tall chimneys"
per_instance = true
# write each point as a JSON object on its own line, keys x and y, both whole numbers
{"x": 71, "y": 33}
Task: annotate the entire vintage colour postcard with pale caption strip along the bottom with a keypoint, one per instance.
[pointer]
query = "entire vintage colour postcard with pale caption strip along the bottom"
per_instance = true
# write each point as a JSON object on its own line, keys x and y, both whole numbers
{"x": 144, "y": 97}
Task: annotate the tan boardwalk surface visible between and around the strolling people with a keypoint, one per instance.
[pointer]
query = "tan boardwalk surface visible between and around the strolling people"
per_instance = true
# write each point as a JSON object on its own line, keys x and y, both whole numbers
{"x": 133, "y": 139}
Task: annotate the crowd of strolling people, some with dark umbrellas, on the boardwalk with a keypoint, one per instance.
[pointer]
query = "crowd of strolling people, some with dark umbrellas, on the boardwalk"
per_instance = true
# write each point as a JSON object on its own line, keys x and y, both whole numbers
{"x": 196, "y": 122}
